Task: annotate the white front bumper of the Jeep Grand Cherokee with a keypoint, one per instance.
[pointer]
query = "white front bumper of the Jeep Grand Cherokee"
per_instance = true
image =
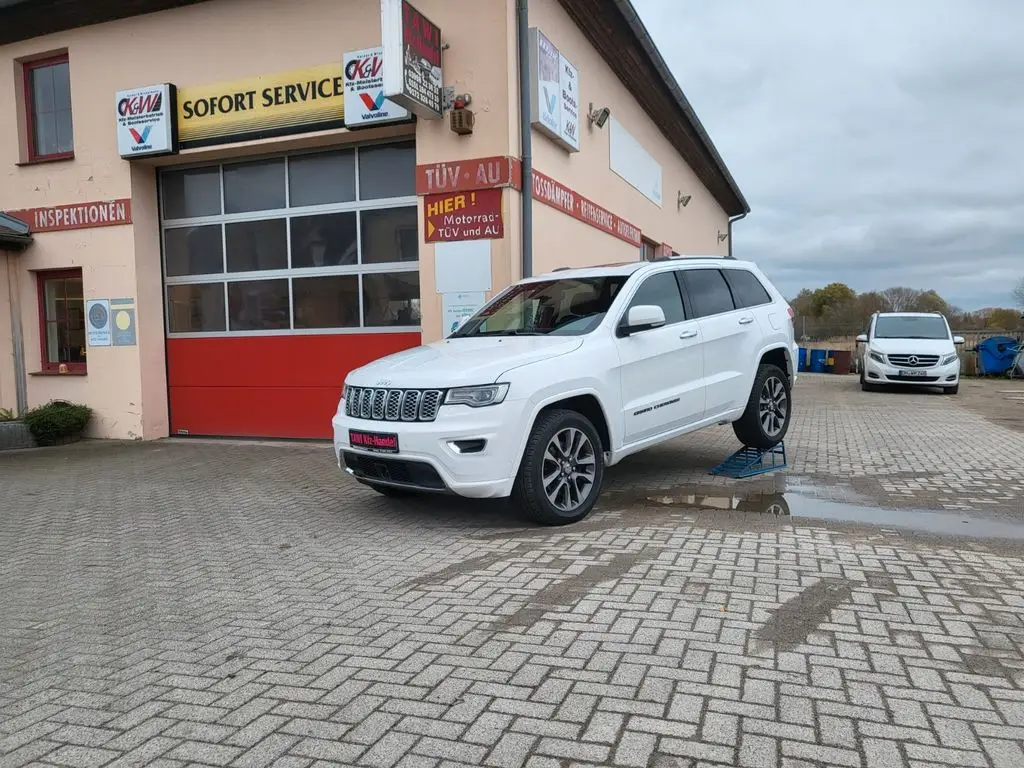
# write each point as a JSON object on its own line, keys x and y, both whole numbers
{"x": 429, "y": 458}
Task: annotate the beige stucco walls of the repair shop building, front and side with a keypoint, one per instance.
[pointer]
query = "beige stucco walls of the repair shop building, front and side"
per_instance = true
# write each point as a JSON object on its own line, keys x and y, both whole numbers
{"x": 224, "y": 40}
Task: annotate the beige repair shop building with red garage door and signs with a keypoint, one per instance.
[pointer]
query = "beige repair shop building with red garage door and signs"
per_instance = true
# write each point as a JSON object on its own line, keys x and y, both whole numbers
{"x": 214, "y": 210}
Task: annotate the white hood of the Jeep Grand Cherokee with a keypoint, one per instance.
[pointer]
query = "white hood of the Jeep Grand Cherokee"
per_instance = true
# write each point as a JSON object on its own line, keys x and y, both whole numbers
{"x": 456, "y": 363}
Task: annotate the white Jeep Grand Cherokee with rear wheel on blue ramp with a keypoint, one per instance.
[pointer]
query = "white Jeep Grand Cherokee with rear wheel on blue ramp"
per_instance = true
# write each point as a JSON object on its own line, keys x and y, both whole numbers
{"x": 566, "y": 374}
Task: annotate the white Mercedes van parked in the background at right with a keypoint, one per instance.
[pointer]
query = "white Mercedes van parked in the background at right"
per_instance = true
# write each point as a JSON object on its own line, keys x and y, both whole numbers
{"x": 910, "y": 349}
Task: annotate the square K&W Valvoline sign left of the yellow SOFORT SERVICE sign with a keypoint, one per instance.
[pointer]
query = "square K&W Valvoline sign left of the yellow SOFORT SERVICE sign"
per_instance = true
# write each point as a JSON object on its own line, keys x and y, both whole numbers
{"x": 146, "y": 121}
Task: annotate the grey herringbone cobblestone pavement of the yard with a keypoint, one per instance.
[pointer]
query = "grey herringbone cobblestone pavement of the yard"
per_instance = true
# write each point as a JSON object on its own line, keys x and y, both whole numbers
{"x": 210, "y": 604}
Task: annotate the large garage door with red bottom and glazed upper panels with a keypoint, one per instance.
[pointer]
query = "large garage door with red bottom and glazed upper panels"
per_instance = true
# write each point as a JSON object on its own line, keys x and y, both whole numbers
{"x": 282, "y": 276}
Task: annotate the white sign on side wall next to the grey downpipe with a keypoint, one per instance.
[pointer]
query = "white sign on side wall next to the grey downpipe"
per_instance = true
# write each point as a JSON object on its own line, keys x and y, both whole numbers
{"x": 554, "y": 93}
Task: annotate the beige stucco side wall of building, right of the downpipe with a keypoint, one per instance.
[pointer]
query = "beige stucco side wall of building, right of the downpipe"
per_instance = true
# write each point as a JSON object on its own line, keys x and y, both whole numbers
{"x": 691, "y": 230}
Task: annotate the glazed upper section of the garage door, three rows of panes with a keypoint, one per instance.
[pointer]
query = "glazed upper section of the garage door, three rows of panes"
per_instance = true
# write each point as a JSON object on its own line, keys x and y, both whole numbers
{"x": 304, "y": 244}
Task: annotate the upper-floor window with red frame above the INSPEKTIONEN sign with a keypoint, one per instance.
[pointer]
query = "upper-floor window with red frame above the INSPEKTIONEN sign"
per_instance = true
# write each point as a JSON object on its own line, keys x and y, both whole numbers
{"x": 48, "y": 101}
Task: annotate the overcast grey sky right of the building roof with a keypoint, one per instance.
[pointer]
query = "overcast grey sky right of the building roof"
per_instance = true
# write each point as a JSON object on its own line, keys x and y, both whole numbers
{"x": 879, "y": 143}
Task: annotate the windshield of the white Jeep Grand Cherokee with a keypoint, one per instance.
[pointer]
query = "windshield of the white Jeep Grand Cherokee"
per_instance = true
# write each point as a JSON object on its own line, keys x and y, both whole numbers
{"x": 552, "y": 308}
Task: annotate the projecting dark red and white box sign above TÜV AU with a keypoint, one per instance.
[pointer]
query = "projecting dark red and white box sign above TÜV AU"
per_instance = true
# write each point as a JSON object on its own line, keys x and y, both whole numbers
{"x": 412, "y": 59}
